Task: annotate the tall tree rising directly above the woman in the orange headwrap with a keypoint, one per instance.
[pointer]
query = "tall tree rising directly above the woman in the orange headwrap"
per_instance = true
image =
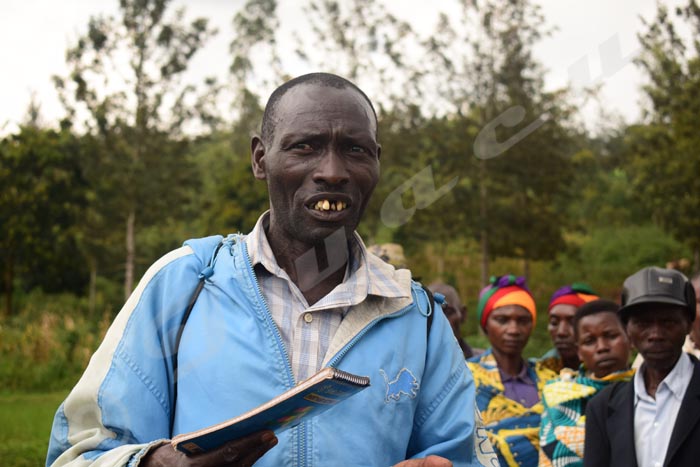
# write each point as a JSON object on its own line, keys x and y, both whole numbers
{"x": 524, "y": 134}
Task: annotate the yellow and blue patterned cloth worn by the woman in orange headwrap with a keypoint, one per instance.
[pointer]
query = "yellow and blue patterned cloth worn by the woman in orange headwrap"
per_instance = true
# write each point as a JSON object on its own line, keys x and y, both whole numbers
{"x": 512, "y": 428}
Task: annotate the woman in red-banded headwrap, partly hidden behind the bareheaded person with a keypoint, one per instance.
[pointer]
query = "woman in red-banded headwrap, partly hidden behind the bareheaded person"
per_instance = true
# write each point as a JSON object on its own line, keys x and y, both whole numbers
{"x": 562, "y": 307}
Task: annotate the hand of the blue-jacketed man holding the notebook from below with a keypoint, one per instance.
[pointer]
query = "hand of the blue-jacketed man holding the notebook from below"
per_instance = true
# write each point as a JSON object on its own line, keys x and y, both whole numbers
{"x": 242, "y": 452}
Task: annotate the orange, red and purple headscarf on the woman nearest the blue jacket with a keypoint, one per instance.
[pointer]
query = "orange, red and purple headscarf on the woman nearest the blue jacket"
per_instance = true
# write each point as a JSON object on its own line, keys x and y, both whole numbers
{"x": 502, "y": 291}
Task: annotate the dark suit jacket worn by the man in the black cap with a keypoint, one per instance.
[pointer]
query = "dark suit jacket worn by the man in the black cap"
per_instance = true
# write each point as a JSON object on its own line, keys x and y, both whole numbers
{"x": 610, "y": 427}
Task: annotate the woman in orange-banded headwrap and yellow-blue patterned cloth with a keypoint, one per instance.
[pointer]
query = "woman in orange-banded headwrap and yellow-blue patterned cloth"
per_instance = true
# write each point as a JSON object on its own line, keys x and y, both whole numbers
{"x": 508, "y": 387}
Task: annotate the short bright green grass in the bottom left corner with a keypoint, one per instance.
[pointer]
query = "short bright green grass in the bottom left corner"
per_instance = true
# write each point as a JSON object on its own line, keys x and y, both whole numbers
{"x": 25, "y": 425}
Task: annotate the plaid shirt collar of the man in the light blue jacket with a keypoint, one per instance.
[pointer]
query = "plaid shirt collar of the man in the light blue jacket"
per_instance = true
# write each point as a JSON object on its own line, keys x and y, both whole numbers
{"x": 365, "y": 273}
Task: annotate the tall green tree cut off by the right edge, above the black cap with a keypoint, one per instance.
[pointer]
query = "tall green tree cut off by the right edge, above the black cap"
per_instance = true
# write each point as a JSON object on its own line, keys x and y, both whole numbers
{"x": 663, "y": 153}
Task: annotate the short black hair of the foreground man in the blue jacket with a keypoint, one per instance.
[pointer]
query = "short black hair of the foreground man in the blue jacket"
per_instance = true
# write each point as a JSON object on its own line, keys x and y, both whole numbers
{"x": 323, "y": 79}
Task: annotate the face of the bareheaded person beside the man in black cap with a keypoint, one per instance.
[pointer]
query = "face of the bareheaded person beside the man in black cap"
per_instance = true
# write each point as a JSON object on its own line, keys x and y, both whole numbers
{"x": 603, "y": 346}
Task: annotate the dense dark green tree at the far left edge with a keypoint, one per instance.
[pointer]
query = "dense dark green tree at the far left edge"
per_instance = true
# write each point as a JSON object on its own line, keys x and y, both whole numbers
{"x": 42, "y": 190}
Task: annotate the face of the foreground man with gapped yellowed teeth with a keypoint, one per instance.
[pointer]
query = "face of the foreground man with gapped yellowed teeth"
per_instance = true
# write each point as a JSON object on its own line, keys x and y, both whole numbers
{"x": 321, "y": 165}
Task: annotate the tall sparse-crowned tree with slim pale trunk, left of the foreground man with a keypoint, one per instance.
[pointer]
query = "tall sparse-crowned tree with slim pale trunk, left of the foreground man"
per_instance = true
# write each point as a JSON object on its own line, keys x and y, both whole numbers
{"x": 124, "y": 88}
